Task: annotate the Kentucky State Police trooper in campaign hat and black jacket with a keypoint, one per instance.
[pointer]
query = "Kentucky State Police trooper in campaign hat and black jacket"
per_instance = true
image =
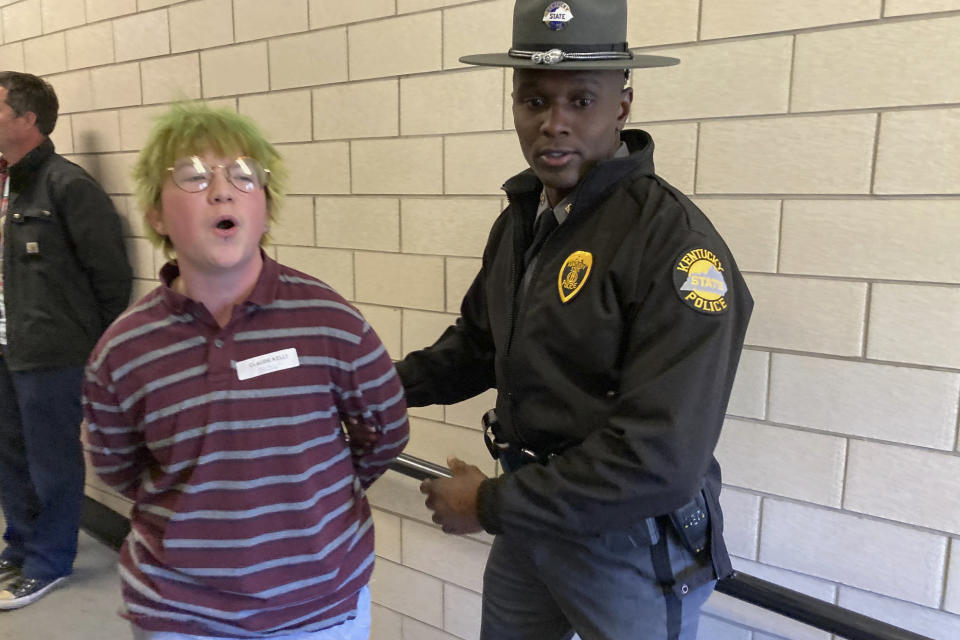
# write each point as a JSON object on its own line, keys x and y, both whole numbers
{"x": 609, "y": 315}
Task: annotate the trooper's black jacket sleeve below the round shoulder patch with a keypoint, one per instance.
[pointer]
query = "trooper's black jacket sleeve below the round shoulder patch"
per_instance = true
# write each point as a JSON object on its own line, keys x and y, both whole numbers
{"x": 657, "y": 444}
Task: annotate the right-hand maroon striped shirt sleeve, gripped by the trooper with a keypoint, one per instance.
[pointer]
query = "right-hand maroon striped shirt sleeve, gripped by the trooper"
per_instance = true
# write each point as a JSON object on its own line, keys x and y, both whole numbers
{"x": 372, "y": 392}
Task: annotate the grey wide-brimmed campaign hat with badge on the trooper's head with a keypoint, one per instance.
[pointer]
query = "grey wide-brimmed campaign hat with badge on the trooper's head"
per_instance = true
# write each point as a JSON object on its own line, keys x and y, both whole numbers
{"x": 572, "y": 35}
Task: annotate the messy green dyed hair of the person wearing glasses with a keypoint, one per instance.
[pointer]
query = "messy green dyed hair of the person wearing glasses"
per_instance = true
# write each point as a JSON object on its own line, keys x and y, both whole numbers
{"x": 192, "y": 128}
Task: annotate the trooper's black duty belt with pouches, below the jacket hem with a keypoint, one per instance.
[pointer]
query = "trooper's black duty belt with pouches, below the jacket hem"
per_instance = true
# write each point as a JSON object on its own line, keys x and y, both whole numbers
{"x": 691, "y": 521}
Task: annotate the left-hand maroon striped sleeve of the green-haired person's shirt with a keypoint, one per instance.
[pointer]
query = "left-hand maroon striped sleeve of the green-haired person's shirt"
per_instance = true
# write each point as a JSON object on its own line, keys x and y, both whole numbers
{"x": 115, "y": 444}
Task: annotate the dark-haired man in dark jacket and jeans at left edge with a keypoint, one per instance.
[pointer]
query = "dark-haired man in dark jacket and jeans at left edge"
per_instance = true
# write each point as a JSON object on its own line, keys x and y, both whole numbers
{"x": 65, "y": 278}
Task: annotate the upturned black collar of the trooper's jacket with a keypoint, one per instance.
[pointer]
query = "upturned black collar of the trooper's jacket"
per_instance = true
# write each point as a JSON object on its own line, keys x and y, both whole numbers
{"x": 599, "y": 180}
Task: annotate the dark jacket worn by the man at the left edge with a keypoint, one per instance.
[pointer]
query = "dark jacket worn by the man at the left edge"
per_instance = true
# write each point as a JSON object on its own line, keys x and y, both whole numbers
{"x": 66, "y": 276}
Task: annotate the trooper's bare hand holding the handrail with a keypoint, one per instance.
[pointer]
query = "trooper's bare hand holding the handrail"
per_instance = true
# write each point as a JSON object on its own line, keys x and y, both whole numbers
{"x": 454, "y": 500}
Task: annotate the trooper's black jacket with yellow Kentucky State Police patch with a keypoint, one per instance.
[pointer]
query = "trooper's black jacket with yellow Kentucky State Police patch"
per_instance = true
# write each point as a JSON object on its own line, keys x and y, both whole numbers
{"x": 620, "y": 355}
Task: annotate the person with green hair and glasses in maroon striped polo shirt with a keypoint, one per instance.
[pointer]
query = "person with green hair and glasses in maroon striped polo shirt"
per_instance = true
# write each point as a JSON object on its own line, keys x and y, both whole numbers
{"x": 215, "y": 403}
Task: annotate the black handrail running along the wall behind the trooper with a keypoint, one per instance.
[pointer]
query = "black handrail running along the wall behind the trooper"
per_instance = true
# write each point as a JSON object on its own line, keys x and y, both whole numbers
{"x": 767, "y": 595}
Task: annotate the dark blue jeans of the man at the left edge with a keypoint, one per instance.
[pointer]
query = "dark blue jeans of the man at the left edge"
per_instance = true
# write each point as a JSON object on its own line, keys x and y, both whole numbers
{"x": 41, "y": 468}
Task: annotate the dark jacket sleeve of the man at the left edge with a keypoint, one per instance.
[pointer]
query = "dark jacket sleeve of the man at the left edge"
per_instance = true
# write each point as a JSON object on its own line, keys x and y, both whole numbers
{"x": 95, "y": 231}
